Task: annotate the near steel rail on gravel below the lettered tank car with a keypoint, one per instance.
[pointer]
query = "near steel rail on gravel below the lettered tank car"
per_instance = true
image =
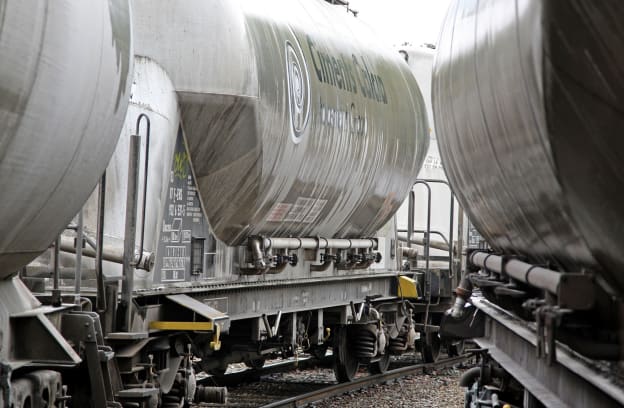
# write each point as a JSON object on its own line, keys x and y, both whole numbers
{"x": 365, "y": 382}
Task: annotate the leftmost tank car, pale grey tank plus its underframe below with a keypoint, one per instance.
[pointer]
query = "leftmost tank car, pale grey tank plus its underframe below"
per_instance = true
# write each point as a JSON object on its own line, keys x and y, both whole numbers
{"x": 65, "y": 71}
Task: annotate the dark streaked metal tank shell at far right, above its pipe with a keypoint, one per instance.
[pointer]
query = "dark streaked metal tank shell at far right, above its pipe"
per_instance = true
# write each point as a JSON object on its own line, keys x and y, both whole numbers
{"x": 528, "y": 98}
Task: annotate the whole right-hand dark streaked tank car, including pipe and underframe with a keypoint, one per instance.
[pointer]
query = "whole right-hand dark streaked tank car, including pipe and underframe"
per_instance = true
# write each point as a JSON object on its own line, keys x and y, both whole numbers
{"x": 527, "y": 98}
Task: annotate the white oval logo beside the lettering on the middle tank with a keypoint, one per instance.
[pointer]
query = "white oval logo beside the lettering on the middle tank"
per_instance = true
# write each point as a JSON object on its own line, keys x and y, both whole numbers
{"x": 298, "y": 82}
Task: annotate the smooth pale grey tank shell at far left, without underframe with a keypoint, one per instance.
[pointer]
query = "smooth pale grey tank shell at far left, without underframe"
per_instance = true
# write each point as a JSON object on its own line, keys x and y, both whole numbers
{"x": 64, "y": 85}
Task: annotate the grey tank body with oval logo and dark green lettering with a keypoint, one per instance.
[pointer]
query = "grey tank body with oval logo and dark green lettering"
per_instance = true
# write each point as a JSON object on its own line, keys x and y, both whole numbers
{"x": 298, "y": 122}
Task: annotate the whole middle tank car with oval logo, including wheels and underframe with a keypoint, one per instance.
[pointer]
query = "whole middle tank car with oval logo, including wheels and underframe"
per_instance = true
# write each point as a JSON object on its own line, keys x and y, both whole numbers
{"x": 264, "y": 146}
